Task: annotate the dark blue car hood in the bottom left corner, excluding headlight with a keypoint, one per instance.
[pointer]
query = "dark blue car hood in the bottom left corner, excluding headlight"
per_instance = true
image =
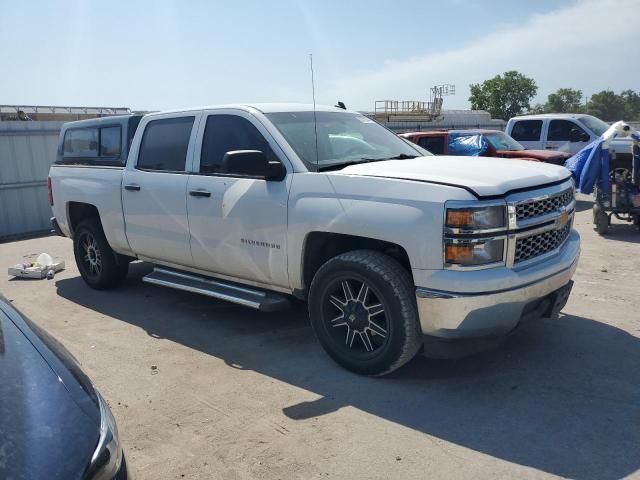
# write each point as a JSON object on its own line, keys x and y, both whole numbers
{"x": 44, "y": 431}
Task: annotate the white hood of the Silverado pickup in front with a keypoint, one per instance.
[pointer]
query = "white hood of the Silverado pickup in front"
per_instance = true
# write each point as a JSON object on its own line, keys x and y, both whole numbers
{"x": 483, "y": 176}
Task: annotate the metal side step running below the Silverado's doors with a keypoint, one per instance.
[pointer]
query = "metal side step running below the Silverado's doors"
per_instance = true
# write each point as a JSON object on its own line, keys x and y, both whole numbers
{"x": 240, "y": 294}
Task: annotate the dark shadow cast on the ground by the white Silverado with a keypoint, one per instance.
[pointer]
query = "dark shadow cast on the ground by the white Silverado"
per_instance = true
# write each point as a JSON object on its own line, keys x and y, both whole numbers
{"x": 562, "y": 397}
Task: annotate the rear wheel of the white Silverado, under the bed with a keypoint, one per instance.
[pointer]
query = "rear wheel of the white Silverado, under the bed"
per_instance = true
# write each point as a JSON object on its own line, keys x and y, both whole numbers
{"x": 100, "y": 267}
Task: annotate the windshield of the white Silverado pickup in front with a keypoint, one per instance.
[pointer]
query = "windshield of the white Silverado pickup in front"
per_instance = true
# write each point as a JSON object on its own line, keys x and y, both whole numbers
{"x": 344, "y": 138}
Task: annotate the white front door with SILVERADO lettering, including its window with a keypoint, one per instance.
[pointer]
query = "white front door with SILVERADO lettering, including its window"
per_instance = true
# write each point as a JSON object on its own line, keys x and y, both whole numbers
{"x": 238, "y": 224}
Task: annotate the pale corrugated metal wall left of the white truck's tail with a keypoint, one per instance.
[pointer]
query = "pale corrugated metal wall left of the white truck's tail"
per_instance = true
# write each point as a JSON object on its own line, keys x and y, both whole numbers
{"x": 26, "y": 151}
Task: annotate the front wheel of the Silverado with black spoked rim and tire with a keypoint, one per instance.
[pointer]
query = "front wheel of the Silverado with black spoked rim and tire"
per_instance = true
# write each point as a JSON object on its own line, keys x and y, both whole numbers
{"x": 376, "y": 286}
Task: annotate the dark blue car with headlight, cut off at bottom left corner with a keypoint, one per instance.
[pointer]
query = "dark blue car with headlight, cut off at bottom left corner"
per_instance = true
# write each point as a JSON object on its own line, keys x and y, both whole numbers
{"x": 53, "y": 423}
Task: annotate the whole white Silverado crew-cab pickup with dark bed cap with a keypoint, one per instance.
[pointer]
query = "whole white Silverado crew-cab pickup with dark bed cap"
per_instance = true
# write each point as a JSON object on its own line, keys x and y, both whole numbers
{"x": 256, "y": 204}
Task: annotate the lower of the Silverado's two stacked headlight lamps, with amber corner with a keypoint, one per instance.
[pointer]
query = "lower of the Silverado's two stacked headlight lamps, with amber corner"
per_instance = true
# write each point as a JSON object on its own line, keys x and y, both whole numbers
{"x": 476, "y": 252}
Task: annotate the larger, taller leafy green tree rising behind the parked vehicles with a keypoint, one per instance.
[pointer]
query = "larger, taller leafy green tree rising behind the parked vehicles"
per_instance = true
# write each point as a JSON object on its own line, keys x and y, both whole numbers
{"x": 503, "y": 96}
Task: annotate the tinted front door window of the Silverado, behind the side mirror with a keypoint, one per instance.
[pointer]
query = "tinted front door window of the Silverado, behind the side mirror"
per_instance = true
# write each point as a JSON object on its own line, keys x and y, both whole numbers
{"x": 226, "y": 133}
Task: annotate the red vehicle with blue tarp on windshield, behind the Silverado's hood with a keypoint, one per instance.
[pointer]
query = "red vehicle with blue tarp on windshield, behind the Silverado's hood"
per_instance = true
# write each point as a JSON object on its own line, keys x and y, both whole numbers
{"x": 485, "y": 143}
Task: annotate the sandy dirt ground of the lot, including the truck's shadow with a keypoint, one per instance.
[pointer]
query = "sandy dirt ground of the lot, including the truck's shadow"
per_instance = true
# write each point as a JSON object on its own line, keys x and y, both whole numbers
{"x": 240, "y": 394}
